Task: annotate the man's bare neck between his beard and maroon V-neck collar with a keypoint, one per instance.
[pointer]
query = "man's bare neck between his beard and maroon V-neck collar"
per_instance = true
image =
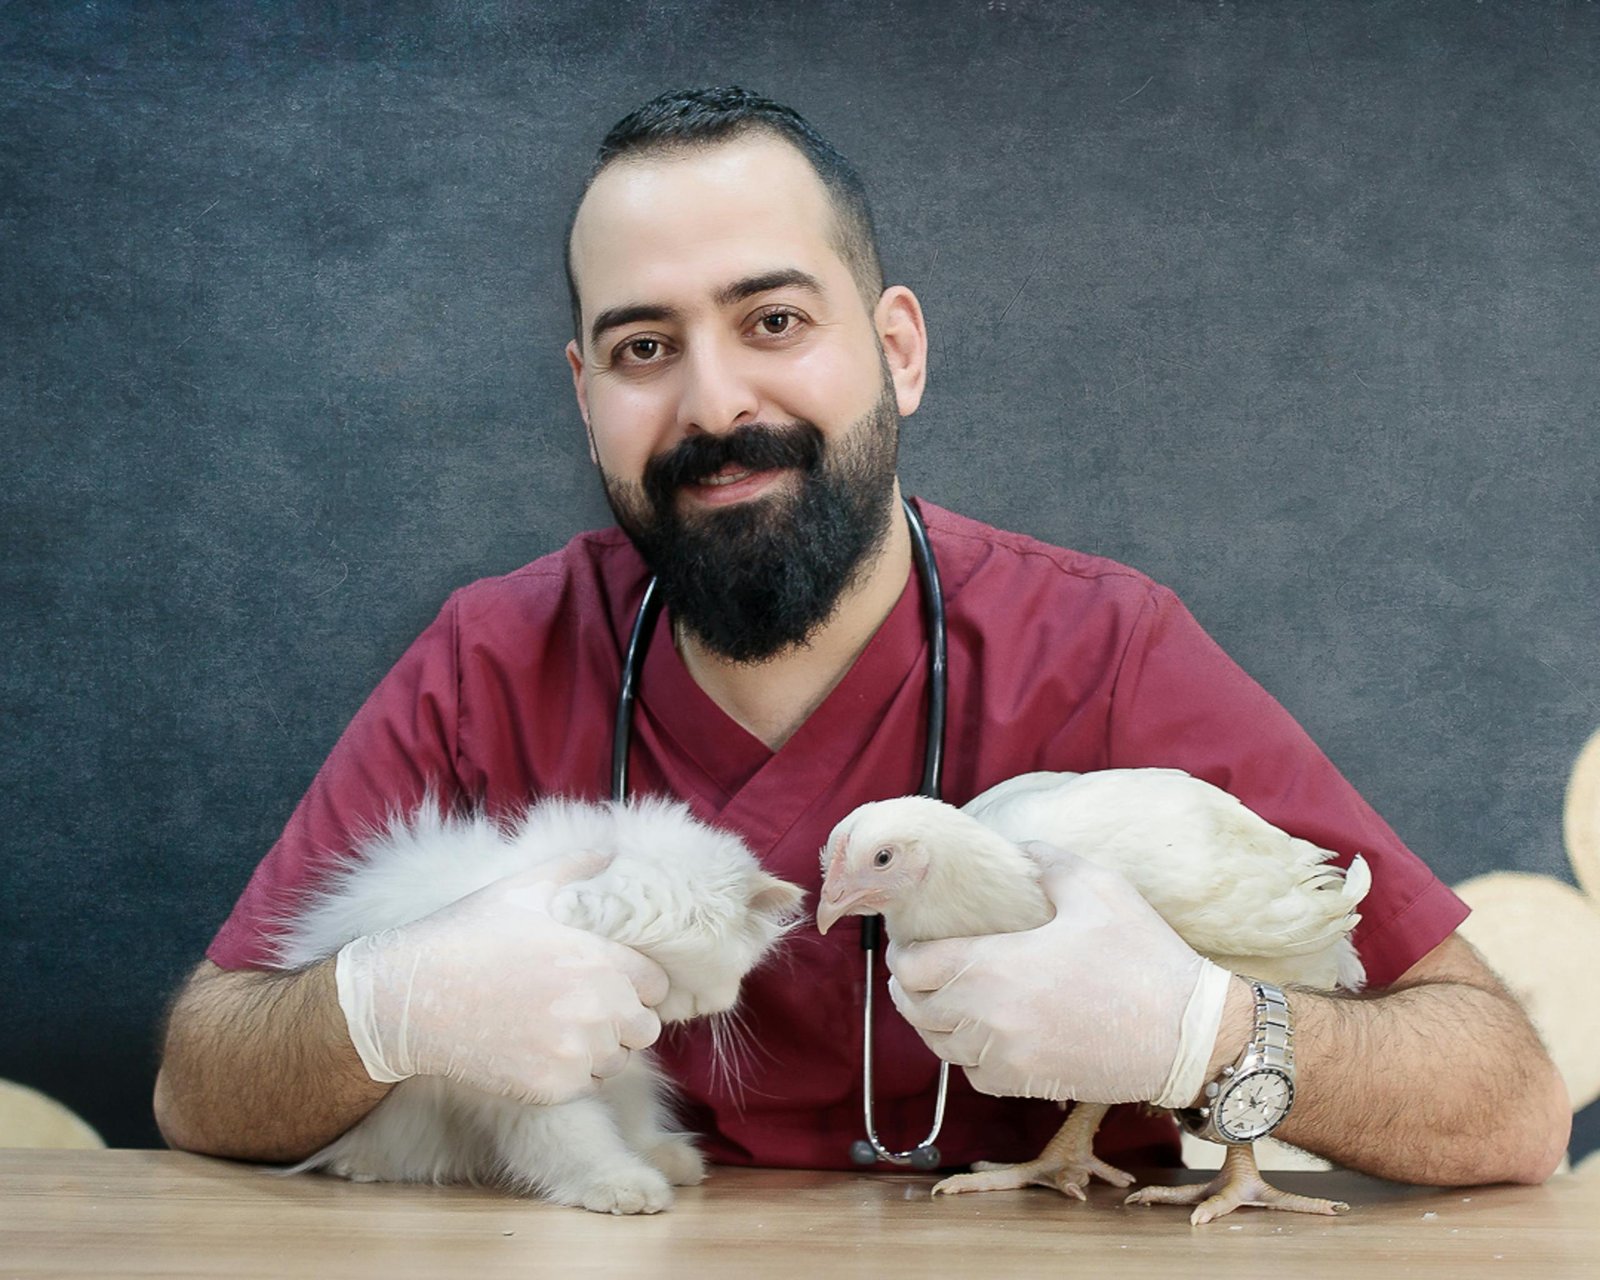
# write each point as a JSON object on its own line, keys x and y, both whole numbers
{"x": 774, "y": 698}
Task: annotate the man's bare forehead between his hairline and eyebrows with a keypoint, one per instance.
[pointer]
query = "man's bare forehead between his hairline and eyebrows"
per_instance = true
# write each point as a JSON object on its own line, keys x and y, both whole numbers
{"x": 678, "y": 225}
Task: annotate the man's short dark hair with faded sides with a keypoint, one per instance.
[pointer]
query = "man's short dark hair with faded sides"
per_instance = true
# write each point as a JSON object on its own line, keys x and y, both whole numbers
{"x": 703, "y": 118}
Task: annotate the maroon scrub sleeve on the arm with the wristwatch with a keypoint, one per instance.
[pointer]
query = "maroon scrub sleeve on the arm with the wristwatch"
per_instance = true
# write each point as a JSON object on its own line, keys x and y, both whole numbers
{"x": 1182, "y": 702}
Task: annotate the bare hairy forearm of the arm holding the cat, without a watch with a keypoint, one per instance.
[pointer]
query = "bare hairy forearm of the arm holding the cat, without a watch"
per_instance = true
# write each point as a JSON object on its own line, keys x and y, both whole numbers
{"x": 260, "y": 1066}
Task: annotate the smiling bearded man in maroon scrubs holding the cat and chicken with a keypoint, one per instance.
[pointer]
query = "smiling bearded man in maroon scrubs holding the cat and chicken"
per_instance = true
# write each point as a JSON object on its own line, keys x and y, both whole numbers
{"x": 742, "y": 372}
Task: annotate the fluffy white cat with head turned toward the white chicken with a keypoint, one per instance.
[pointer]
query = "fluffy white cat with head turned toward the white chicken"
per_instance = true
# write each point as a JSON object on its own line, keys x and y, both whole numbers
{"x": 687, "y": 895}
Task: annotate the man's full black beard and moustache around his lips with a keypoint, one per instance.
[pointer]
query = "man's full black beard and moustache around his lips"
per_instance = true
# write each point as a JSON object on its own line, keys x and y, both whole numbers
{"x": 764, "y": 577}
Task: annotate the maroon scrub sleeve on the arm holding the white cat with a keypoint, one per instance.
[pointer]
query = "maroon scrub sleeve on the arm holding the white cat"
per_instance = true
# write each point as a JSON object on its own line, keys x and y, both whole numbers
{"x": 401, "y": 748}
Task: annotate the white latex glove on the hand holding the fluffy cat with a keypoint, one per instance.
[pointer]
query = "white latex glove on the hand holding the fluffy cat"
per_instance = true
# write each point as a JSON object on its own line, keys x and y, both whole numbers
{"x": 495, "y": 993}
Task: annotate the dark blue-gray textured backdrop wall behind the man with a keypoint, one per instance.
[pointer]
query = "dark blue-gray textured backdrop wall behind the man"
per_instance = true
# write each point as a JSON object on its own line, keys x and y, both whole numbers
{"x": 1292, "y": 306}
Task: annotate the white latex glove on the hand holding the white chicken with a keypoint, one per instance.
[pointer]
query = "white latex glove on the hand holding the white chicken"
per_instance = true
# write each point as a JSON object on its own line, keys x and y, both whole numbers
{"x": 1105, "y": 1004}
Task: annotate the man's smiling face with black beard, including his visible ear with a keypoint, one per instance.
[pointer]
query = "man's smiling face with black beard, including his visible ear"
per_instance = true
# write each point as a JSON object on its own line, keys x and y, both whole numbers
{"x": 742, "y": 399}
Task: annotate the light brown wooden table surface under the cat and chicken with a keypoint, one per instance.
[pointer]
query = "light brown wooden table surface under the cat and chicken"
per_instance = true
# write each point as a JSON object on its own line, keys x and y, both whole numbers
{"x": 124, "y": 1214}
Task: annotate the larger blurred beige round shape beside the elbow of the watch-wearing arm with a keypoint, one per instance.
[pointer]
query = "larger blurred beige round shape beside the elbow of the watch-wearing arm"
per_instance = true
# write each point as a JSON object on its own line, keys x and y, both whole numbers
{"x": 1543, "y": 938}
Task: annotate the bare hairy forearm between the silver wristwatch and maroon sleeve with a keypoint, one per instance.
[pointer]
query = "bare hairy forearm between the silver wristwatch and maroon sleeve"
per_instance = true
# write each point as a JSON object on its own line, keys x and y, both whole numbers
{"x": 1441, "y": 1082}
